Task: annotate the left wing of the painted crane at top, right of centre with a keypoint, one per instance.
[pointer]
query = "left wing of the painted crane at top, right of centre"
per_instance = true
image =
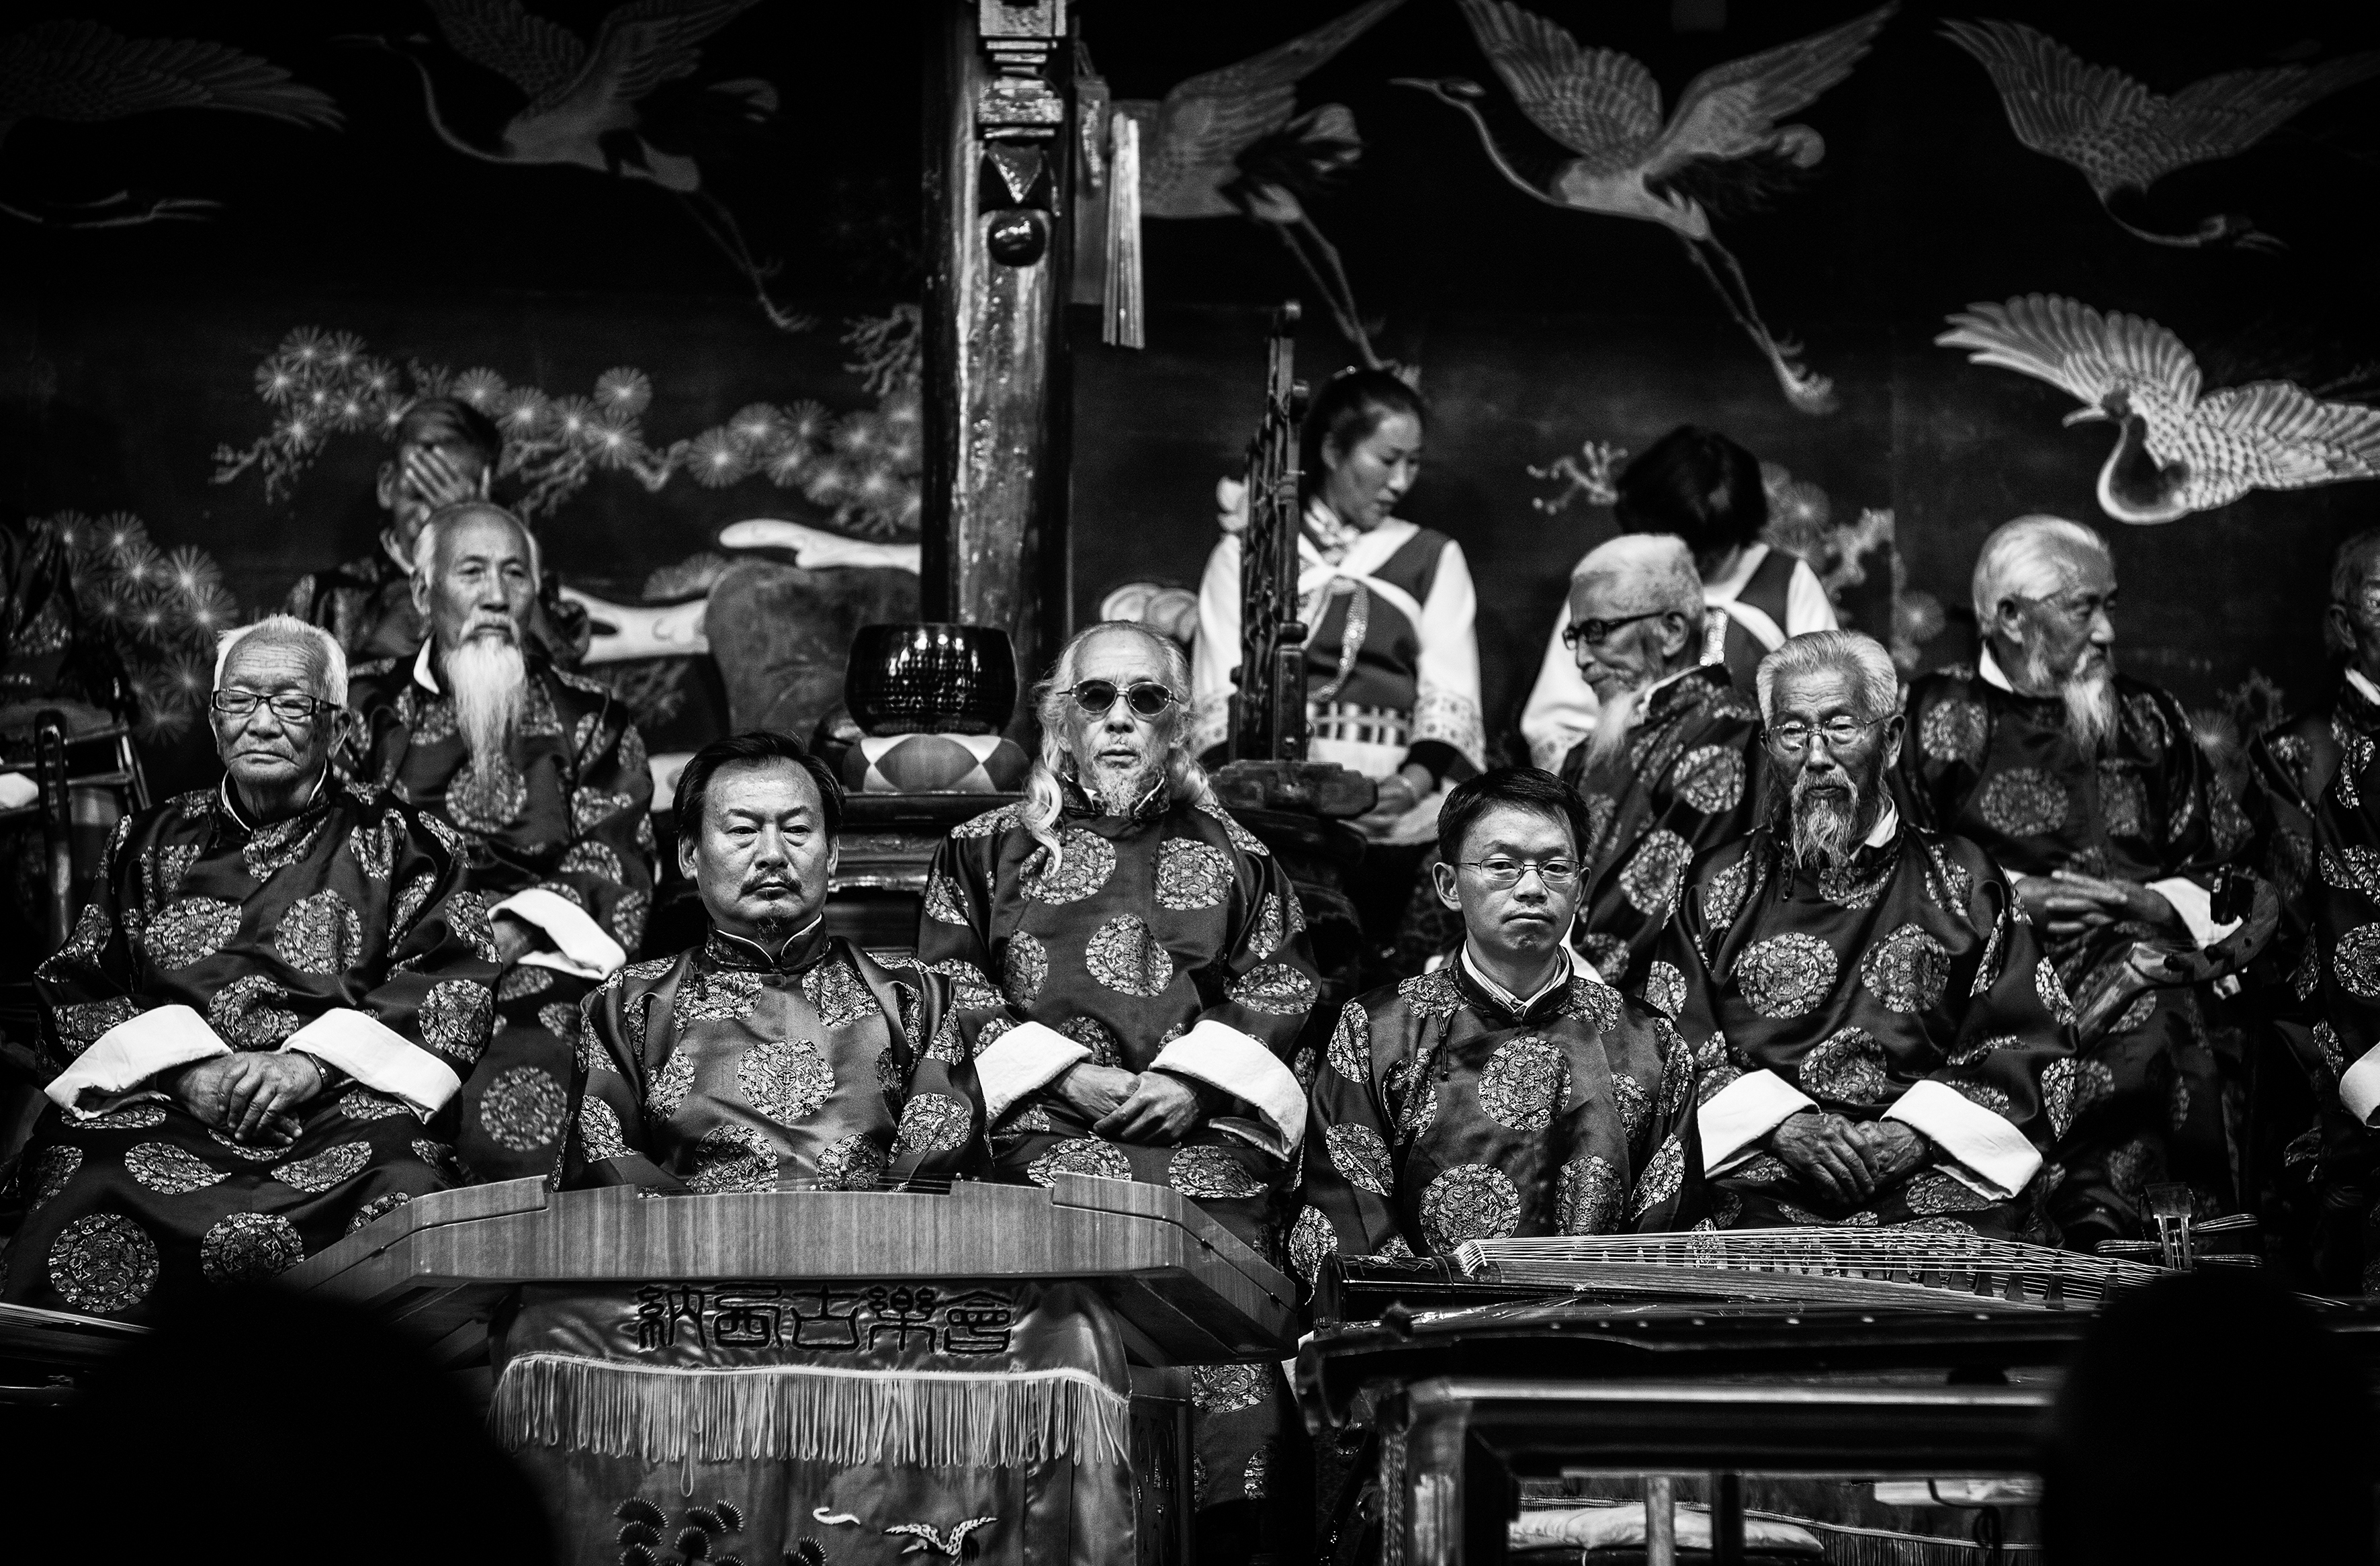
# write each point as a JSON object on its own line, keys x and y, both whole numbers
{"x": 1598, "y": 104}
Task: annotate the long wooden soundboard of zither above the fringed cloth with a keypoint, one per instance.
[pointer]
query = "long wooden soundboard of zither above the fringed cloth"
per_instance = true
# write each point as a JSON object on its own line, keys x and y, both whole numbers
{"x": 1184, "y": 1286}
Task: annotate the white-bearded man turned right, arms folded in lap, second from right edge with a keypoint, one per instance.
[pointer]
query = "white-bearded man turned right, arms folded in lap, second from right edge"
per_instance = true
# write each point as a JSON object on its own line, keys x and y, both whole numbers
{"x": 2091, "y": 791}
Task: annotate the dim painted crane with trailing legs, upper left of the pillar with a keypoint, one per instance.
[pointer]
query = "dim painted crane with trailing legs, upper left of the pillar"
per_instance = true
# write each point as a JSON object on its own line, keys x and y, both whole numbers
{"x": 601, "y": 106}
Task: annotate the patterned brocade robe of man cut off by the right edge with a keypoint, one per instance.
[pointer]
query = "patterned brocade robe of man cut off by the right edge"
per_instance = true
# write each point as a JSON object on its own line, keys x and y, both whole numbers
{"x": 2319, "y": 777}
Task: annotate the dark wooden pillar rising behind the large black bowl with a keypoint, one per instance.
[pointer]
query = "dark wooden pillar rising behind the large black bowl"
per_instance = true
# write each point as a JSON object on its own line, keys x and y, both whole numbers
{"x": 998, "y": 149}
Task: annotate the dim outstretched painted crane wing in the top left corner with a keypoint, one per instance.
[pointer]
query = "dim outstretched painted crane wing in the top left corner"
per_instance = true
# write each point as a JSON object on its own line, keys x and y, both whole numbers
{"x": 87, "y": 73}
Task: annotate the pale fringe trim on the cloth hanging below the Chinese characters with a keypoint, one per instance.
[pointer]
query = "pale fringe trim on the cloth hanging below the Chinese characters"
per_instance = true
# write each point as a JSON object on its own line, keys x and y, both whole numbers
{"x": 925, "y": 1420}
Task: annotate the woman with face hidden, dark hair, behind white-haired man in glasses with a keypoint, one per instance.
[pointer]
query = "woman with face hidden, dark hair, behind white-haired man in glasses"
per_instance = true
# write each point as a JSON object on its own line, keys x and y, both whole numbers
{"x": 1708, "y": 491}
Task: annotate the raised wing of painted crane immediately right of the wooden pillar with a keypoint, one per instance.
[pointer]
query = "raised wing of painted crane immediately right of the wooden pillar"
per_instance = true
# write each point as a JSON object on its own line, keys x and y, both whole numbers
{"x": 1208, "y": 120}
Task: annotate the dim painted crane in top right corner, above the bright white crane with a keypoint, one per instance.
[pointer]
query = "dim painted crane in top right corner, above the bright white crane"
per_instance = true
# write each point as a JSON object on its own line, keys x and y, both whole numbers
{"x": 2124, "y": 139}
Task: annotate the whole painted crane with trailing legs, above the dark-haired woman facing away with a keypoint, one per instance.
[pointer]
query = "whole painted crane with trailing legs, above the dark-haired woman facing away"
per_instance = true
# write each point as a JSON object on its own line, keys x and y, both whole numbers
{"x": 1724, "y": 149}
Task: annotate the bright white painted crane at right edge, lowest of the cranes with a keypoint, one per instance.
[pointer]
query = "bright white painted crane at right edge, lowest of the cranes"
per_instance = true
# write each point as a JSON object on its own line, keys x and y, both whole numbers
{"x": 2179, "y": 451}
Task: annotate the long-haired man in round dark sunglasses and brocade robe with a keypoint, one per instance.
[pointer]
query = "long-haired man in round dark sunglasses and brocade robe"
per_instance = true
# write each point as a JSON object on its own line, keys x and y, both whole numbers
{"x": 1155, "y": 972}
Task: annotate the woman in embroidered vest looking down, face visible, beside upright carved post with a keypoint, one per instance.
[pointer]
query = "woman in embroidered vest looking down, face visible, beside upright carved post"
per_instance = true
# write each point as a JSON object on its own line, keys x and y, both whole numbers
{"x": 1393, "y": 670}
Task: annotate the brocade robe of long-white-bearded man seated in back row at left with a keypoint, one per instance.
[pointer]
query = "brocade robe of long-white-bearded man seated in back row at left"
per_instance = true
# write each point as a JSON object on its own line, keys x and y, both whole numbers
{"x": 558, "y": 837}
